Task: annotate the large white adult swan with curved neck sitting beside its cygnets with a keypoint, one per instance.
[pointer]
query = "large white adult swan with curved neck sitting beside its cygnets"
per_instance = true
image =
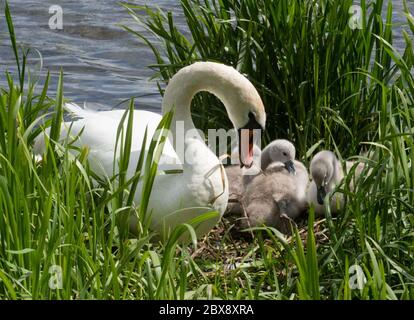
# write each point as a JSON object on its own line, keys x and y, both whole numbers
{"x": 202, "y": 182}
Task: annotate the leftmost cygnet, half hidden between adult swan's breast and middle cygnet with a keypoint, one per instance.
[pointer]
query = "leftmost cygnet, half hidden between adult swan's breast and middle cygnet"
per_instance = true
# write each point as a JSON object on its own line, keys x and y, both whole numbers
{"x": 238, "y": 178}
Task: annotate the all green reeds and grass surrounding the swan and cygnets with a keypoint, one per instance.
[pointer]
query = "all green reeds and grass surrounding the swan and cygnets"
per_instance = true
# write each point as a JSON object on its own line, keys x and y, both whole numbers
{"x": 324, "y": 85}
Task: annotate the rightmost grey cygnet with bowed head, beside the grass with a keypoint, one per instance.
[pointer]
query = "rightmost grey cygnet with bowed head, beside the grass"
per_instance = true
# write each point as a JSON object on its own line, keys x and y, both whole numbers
{"x": 327, "y": 172}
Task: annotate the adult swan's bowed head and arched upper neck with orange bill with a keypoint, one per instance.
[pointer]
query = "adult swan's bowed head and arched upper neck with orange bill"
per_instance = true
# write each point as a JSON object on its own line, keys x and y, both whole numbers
{"x": 241, "y": 99}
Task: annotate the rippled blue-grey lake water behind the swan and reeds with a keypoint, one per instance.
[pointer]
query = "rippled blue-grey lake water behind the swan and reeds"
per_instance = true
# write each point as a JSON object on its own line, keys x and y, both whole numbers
{"x": 102, "y": 64}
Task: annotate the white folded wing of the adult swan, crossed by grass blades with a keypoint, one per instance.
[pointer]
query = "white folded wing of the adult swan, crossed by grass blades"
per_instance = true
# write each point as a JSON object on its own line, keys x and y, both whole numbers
{"x": 99, "y": 131}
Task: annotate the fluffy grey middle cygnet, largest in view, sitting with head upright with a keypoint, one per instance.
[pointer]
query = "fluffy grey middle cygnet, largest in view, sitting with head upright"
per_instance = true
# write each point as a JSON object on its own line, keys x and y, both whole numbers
{"x": 279, "y": 193}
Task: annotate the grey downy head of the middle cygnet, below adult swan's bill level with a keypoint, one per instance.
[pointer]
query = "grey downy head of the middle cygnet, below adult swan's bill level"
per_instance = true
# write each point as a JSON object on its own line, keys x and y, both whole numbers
{"x": 279, "y": 151}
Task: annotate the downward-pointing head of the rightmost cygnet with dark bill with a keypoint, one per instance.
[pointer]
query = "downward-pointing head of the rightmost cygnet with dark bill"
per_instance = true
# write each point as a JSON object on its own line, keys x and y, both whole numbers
{"x": 322, "y": 169}
